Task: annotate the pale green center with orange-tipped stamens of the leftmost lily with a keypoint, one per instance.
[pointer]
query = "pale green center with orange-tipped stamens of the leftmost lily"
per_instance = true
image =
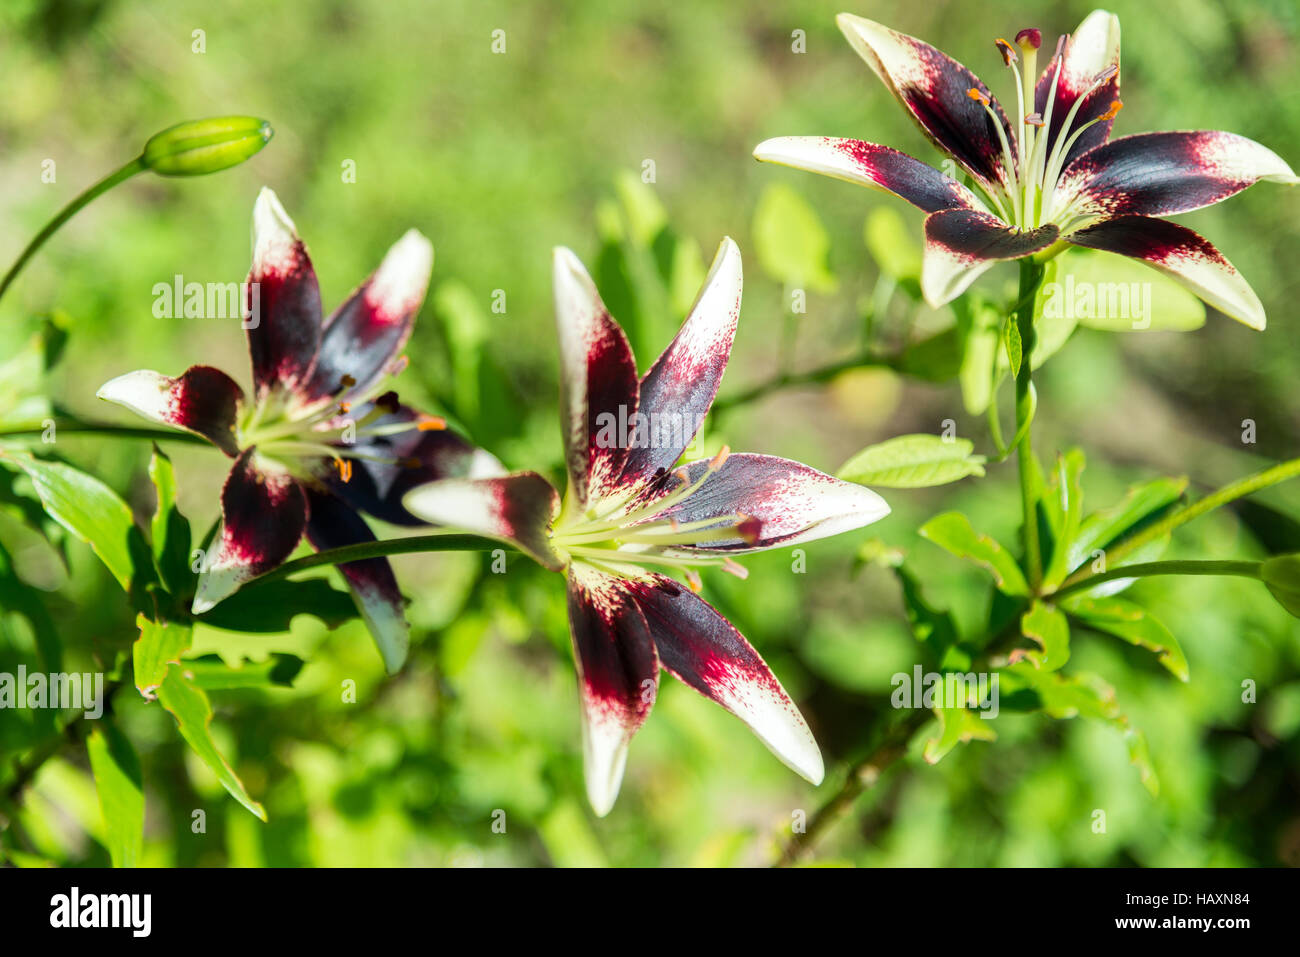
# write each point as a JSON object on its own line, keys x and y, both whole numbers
{"x": 298, "y": 436}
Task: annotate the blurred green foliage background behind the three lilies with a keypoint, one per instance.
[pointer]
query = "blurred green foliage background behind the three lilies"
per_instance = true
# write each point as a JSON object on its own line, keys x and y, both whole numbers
{"x": 501, "y": 157}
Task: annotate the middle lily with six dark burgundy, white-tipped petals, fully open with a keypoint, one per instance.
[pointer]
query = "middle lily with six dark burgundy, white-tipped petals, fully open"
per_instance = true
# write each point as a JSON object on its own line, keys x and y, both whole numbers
{"x": 632, "y": 516}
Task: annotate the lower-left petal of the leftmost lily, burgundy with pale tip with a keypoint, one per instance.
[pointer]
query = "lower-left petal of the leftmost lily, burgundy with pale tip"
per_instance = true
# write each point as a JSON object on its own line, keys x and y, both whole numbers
{"x": 263, "y": 517}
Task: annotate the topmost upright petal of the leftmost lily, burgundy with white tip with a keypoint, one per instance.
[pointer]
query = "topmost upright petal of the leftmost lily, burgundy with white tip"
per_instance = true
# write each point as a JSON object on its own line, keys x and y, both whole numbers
{"x": 284, "y": 301}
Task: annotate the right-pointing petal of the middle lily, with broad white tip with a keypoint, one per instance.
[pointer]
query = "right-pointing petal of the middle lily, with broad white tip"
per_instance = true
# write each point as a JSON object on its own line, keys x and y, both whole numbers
{"x": 792, "y": 503}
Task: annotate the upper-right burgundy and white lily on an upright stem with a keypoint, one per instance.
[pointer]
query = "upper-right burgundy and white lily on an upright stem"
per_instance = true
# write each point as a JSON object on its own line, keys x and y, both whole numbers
{"x": 1047, "y": 177}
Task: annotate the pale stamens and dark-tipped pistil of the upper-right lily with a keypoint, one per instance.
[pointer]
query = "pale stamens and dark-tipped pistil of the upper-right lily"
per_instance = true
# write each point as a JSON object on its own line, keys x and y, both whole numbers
{"x": 1030, "y": 198}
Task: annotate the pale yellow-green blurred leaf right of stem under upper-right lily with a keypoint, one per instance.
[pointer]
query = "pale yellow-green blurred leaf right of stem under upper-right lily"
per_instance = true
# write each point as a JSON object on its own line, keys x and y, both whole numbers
{"x": 1115, "y": 293}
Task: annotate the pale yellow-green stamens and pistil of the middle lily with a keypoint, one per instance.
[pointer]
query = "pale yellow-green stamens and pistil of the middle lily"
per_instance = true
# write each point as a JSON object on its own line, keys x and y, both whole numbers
{"x": 621, "y": 534}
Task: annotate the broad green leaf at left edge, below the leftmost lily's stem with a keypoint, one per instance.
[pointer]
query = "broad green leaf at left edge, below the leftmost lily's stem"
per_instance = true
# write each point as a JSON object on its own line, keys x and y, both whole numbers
{"x": 88, "y": 509}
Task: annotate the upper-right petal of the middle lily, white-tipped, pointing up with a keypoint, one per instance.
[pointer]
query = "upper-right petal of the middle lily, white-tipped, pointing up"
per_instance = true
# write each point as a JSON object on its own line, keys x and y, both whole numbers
{"x": 681, "y": 387}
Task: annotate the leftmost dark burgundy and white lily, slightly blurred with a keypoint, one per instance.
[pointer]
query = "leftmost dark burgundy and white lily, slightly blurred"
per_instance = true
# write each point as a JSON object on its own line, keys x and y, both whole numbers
{"x": 323, "y": 439}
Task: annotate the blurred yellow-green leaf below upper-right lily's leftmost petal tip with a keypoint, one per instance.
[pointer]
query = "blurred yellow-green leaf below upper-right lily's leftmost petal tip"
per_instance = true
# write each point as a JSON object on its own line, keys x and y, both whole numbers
{"x": 791, "y": 241}
